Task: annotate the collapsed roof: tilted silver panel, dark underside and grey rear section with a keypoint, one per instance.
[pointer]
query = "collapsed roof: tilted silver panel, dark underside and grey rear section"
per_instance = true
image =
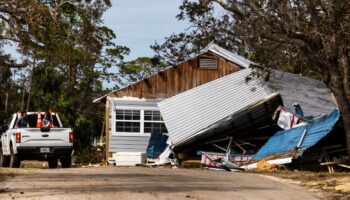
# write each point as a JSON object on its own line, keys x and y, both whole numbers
{"x": 238, "y": 107}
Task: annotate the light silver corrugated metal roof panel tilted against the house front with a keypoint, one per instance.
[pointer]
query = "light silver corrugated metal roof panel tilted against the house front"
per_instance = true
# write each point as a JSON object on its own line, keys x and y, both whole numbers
{"x": 194, "y": 110}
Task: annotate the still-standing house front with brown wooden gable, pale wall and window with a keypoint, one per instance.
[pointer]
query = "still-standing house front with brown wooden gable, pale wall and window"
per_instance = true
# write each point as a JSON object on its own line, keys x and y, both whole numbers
{"x": 132, "y": 112}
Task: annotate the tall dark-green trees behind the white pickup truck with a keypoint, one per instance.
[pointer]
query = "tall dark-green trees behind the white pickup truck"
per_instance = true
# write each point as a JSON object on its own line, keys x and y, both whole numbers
{"x": 66, "y": 54}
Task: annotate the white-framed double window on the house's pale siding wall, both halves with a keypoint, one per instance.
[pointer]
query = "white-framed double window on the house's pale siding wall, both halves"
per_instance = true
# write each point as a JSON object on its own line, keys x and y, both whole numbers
{"x": 139, "y": 121}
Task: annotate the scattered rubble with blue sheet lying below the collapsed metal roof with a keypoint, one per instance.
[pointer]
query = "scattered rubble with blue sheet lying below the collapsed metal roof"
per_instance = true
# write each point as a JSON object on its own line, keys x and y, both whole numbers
{"x": 301, "y": 140}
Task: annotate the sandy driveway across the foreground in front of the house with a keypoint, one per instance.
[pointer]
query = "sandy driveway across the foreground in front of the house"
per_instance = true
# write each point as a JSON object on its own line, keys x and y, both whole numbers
{"x": 144, "y": 183}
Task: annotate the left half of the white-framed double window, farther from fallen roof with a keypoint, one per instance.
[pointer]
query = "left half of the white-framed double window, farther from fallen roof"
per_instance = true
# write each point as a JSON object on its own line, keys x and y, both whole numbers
{"x": 128, "y": 121}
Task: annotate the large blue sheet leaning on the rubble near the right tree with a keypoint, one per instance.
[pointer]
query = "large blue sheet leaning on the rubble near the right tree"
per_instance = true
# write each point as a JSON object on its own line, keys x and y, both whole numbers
{"x": 288, "y": 140}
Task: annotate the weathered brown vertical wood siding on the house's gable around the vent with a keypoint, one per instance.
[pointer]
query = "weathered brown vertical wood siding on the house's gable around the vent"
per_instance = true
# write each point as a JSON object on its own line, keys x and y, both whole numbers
{"x": 178, "y": 79}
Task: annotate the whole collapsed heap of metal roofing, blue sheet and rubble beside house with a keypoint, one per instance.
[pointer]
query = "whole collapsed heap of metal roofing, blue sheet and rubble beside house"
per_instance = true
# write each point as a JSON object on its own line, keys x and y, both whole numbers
{"x": 233, "y": 124}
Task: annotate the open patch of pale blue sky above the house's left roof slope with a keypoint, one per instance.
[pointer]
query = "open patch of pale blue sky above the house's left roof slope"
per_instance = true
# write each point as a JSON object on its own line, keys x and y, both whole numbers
{"x": 139, "y": 23}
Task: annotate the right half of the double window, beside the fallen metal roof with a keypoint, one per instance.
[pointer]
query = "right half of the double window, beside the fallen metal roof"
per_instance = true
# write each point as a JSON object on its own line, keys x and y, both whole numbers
{"x": 153, "y": 122}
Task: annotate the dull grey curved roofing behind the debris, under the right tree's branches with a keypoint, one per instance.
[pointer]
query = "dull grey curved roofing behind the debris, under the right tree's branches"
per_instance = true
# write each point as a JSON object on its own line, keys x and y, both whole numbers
{"x": 312, "y": 95}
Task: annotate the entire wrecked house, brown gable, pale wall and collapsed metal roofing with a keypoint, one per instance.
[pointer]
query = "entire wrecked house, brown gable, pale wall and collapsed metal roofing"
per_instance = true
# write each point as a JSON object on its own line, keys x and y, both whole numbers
{"x": 203, "y": 100}
